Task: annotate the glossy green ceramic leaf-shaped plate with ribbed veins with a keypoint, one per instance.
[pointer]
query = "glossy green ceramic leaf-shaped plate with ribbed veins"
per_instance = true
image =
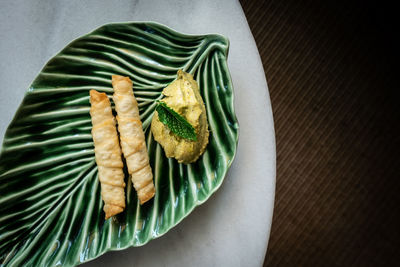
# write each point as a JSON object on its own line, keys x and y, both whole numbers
{"x": 50, "y": 203}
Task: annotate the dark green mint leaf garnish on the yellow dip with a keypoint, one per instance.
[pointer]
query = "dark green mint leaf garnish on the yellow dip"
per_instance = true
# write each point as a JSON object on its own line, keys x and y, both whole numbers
{"x": 175, "y": 122}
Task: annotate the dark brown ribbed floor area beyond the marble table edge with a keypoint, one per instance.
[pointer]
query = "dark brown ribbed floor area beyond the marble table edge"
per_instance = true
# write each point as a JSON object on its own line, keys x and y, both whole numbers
{"x": 332, "y": 69}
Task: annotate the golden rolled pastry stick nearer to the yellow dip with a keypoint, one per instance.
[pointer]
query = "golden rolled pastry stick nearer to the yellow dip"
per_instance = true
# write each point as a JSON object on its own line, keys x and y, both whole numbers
{"x": 132, "y": 138}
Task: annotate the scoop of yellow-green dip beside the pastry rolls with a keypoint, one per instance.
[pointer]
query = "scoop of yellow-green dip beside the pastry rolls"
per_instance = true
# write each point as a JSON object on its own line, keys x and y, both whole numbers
{"x": 183, "y": 97}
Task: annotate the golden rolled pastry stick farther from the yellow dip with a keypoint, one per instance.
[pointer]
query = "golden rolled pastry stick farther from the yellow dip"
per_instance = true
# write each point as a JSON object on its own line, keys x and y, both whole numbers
{"x": 107, "y": 153}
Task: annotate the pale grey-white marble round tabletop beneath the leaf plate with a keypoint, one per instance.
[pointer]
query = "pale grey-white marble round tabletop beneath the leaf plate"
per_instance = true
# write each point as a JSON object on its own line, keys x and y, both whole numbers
{"x": 232, "y": 228}
